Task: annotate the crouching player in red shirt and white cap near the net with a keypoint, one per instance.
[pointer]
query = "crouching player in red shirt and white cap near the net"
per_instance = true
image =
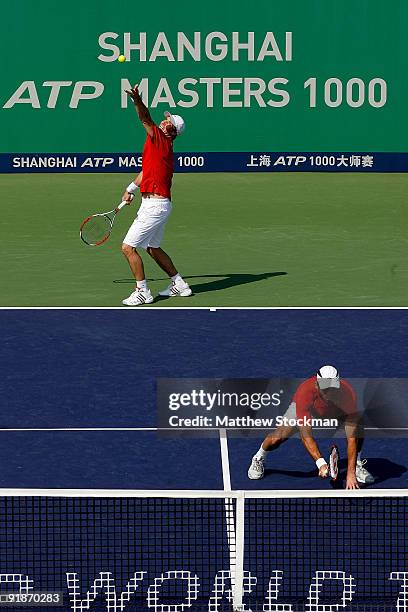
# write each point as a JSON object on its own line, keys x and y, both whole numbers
{"x": 321, "y": 396}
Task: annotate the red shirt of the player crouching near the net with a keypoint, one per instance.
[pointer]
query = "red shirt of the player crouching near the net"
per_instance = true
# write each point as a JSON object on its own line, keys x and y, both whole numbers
{"x": 310, "y": 403}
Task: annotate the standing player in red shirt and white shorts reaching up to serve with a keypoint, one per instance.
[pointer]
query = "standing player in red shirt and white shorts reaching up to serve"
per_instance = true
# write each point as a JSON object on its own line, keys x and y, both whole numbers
{"x": 154, "y": 182}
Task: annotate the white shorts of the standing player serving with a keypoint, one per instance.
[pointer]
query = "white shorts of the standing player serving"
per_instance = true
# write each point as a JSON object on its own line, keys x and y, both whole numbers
{"x": 148, "y": 227}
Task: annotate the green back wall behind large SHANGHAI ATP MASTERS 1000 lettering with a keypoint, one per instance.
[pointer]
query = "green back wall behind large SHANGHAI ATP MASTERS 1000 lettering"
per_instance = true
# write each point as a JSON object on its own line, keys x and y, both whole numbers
{"x": 44, "y": 40}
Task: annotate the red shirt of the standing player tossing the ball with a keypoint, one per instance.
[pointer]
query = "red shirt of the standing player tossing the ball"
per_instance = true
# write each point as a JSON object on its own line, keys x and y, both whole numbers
{"x": 157, "y": 164}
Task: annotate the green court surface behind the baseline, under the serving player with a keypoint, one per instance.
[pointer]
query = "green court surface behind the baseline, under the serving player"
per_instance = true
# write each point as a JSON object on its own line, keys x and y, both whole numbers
{"x": 288, "y": 239}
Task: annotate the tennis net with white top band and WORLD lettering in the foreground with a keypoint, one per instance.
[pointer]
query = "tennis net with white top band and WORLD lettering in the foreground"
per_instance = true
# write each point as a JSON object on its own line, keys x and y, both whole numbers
{"x": 172, "y": 551}
